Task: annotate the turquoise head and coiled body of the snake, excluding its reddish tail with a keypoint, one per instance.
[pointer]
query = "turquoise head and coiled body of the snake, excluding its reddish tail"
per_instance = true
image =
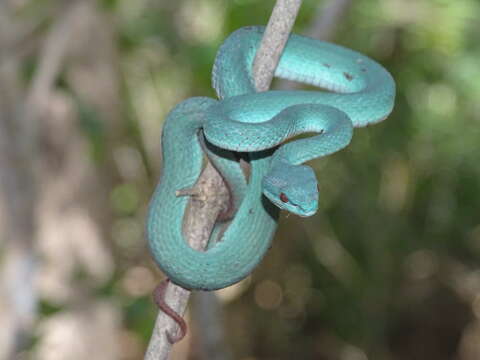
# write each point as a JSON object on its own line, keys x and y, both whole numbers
{"x": 275, "y": 132}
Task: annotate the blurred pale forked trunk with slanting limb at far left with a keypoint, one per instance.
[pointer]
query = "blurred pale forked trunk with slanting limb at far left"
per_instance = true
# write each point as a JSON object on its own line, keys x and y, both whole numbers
{"x": 18, "y": 155}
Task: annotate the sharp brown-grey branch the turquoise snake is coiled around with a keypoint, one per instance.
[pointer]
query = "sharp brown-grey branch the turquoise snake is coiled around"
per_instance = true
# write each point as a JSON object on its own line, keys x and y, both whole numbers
{"x": 203, "y": 214}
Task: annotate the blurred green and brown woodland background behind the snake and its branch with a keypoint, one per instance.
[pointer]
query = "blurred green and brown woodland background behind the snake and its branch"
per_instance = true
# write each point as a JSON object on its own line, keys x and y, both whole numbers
{"x": 388, "y": 269}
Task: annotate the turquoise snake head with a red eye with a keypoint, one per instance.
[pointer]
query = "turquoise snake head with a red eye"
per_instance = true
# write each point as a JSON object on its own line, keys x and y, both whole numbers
{"x": 292, "y": 188}
